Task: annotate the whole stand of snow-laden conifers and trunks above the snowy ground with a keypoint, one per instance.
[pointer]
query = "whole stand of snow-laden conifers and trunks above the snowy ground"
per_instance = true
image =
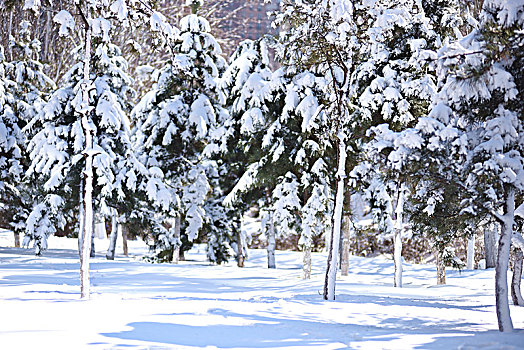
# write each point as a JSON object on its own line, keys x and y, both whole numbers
{"x": 364, "y": 126}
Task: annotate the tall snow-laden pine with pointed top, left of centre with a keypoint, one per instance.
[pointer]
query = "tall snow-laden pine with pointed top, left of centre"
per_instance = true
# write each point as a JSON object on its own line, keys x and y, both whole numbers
{"x": 175, "y": 121}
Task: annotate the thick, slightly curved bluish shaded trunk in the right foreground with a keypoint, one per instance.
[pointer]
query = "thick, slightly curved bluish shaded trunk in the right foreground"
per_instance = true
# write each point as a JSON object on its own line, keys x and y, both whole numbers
{"x": 501, "y": 270}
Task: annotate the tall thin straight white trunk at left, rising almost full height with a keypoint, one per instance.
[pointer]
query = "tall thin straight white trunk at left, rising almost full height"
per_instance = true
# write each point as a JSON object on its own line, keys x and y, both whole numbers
{"x": 85, "y": 284}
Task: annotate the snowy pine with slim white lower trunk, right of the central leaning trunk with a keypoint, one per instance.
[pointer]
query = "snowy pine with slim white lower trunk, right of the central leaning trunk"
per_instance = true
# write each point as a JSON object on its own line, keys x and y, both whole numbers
{"x": 394, "y": 87}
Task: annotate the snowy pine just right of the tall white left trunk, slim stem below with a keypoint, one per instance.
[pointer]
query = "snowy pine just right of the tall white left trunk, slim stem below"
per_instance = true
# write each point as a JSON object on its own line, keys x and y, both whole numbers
{"x": 116, "y": 166}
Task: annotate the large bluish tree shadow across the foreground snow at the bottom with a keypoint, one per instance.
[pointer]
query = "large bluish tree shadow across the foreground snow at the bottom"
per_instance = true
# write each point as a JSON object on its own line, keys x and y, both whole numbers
{"x": 279, "y": 331}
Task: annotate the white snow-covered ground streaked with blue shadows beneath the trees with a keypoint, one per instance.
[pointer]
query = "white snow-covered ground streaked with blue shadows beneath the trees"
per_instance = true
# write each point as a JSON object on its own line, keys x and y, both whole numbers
{"x": 137, "y": 305}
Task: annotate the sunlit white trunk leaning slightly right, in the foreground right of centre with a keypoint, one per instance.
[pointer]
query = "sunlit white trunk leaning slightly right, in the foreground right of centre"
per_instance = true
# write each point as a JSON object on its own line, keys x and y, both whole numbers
{"x": 331, "y": 269}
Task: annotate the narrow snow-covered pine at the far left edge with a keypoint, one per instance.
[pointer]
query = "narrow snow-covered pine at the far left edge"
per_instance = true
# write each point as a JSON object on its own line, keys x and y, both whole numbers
{"x": 28, "y": 85}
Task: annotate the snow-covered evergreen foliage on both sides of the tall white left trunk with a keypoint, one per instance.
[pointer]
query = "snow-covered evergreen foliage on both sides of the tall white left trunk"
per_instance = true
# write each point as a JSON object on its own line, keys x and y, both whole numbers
{"x": 56, "y": 148}
